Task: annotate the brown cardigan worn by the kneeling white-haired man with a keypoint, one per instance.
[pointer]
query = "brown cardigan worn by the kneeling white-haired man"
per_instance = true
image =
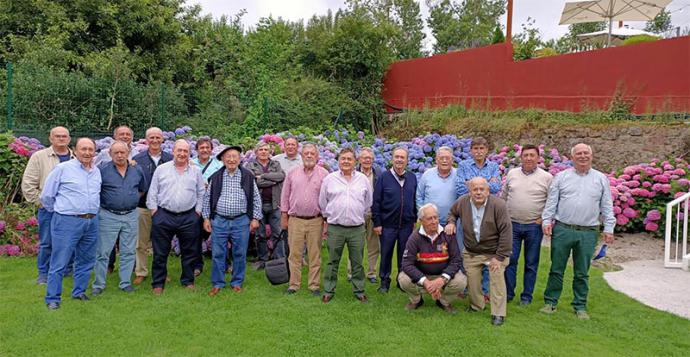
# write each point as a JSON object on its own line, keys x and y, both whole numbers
{"x": 496, "y": 231}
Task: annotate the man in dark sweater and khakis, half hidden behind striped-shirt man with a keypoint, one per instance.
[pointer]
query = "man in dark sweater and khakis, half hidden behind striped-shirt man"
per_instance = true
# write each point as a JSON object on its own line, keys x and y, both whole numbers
{"x": 148, "y": 160}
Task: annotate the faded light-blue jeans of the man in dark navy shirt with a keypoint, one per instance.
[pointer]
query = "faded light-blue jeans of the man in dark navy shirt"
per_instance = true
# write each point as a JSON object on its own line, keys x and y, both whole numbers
{"x": 112, "y": 226}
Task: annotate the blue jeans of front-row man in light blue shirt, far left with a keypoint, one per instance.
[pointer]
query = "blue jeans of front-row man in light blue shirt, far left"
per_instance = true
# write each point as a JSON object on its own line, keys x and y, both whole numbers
{"x": 71, "y": 235}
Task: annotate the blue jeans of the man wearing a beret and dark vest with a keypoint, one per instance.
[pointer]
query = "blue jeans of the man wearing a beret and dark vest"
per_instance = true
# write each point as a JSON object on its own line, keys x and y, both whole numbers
{"x": 237, "y": 231}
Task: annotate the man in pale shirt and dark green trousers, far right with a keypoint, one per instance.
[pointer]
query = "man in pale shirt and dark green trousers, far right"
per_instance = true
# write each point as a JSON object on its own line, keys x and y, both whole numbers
{"x": 579, "y": 200}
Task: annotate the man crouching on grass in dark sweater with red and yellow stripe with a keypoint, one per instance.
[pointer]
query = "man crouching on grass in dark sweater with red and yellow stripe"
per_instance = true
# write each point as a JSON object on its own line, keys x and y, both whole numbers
{"x": 431, "y": 263}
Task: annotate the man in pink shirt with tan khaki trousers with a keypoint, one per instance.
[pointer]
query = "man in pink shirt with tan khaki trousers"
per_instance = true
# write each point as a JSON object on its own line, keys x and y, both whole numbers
{"x": 301, "y": 216}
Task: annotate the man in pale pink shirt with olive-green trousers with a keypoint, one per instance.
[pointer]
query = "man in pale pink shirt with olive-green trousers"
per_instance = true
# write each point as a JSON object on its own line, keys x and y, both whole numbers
{"x": 344, "y": 199}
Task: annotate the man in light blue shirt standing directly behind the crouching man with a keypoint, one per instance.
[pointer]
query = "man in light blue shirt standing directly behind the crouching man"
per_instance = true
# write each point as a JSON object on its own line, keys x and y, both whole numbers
{"x": 437, "y": 185}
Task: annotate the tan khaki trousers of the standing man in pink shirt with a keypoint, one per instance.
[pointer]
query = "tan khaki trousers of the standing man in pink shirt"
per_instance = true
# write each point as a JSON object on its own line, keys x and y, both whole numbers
{"x": 301, "y": 232}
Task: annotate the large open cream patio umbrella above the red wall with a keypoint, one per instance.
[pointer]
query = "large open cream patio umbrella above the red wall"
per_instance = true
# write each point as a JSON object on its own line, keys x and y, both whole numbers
{"x": 576, "y": 12}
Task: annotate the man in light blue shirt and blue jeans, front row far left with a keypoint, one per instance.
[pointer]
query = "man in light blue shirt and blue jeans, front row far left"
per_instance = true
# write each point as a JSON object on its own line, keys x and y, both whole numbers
{"x": 72, "y": 192}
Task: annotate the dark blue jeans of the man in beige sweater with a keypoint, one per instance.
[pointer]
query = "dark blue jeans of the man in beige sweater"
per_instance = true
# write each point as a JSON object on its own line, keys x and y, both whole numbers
{"x": 532, "y": 235}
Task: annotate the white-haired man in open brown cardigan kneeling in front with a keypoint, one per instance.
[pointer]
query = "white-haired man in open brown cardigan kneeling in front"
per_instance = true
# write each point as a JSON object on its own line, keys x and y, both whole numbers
{"x": 488, "y": 238}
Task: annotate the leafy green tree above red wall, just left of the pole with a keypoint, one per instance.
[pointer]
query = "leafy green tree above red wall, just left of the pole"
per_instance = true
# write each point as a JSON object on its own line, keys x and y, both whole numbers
{"x": 463, "y": 25}
